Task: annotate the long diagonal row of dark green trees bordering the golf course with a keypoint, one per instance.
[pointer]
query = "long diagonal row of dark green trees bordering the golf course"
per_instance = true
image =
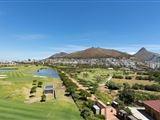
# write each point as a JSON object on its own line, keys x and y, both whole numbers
{"x": 80, "y": 97}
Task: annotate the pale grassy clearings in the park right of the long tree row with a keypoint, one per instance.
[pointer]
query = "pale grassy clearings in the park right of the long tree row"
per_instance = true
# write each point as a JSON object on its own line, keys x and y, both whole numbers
{"x": 104, "y": 75}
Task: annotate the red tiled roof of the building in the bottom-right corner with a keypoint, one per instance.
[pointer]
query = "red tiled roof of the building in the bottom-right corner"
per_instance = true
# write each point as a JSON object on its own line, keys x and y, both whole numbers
{"x": 154, "y": 104}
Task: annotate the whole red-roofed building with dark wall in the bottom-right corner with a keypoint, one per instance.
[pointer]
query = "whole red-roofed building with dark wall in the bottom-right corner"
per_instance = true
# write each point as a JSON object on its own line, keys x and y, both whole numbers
{"x": 152, "y": 107}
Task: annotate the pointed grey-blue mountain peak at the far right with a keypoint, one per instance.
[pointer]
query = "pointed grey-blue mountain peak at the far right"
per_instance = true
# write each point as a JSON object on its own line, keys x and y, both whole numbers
{"x": 144, "y": 55}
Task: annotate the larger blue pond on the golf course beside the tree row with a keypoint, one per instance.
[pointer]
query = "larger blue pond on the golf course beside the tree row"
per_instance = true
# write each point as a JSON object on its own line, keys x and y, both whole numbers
{"x": 47, "y": 73}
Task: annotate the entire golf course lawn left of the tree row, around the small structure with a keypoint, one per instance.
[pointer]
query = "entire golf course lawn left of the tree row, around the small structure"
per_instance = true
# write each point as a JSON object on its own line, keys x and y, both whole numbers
{"x": 15, "y": 90}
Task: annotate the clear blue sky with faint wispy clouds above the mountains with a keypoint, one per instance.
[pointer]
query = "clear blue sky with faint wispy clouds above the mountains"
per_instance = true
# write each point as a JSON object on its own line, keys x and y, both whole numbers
{"x": 37, "y": 29}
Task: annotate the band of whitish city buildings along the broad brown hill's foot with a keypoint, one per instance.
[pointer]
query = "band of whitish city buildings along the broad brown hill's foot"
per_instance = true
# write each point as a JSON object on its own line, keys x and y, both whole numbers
{"x": 108, "y": 62}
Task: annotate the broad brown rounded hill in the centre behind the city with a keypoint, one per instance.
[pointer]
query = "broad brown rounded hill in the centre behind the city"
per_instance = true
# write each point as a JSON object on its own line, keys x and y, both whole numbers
{"x": 95, "y": 53}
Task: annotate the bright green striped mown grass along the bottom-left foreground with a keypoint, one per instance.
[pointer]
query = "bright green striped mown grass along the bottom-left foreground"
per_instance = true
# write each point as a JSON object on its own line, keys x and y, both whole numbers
{"x": 57, "y": 110}
